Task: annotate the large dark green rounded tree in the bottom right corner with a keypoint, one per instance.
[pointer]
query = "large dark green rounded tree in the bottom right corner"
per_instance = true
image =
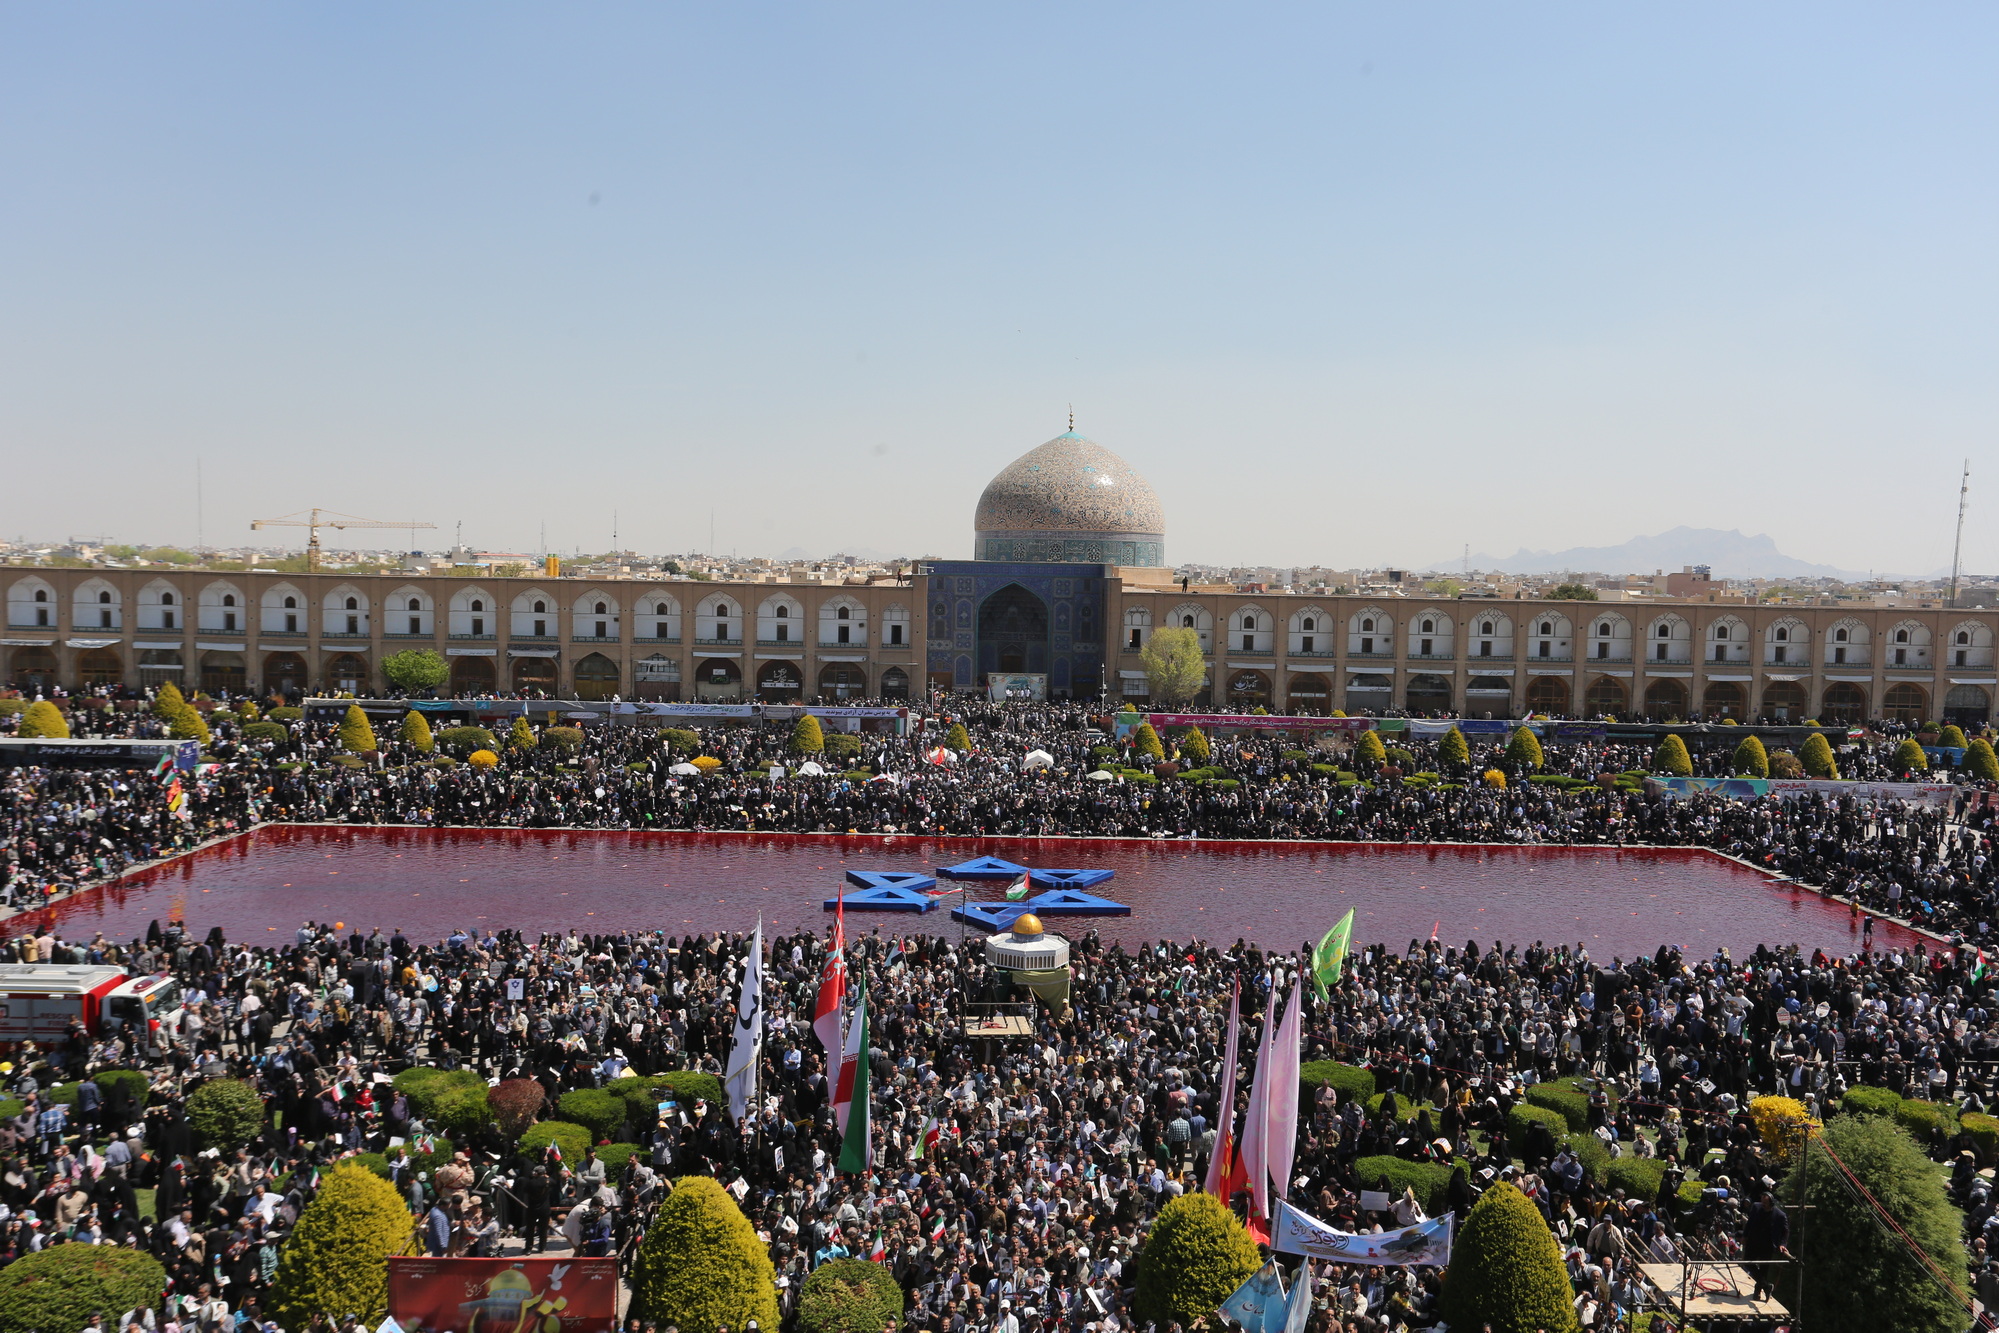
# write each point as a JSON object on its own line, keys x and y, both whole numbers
{"x": 1858, "y": 1274}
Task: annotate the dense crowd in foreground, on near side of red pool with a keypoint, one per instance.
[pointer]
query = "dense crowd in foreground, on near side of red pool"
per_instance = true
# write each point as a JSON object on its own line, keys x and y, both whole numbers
{"x": 1048, "y": 1156}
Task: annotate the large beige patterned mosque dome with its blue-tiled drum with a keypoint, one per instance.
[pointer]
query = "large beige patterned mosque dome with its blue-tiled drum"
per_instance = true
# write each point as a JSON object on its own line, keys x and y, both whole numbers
{"x": 1070, "y": 503}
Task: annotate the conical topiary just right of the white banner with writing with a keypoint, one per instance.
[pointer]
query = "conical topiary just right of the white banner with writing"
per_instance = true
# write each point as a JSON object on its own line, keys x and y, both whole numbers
{"x": 1506, "y": 1270}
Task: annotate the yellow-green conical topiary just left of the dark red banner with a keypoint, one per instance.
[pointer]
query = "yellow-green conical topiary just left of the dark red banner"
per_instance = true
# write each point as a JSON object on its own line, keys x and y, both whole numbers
{"x": 339, "y": 1254}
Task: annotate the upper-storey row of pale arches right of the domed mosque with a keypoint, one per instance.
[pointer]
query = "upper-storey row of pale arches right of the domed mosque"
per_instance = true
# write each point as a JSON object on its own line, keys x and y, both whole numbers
{"x": 1554, "y": 637}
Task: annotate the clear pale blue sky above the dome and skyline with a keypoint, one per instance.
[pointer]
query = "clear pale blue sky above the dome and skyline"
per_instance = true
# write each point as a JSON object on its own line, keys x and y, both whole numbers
{"x": 1348, "y": 283}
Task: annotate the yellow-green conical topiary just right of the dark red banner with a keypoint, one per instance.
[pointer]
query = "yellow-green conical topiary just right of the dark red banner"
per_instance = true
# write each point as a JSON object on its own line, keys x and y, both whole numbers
{"x": 703, "y": 1264}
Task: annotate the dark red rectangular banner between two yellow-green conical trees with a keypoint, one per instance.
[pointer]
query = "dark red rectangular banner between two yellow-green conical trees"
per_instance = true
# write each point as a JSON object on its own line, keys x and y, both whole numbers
{"x": 505, "y": 1296}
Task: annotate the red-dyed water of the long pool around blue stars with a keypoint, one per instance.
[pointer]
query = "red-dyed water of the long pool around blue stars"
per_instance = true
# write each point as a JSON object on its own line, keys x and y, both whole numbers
{"x": 1276, "y": 894}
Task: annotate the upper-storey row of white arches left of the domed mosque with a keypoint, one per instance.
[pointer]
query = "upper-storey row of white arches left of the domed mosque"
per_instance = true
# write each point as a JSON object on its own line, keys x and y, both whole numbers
{"x": 471, "y": 613}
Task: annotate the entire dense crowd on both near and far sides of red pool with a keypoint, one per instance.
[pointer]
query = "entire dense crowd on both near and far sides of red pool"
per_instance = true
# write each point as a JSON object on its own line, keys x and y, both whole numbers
{"x": 1050, "y": 1154}
